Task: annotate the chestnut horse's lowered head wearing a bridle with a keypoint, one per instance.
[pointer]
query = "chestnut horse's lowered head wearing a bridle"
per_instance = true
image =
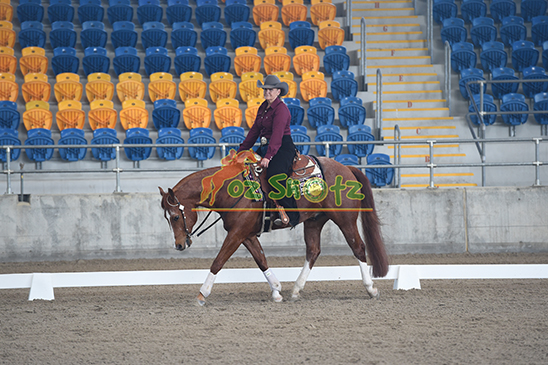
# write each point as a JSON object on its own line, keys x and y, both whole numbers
{"x": 181, "y": 218}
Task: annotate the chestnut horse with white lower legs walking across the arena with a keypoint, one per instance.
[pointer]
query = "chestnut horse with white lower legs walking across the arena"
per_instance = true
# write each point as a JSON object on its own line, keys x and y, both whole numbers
{"x": 349, "y": 195}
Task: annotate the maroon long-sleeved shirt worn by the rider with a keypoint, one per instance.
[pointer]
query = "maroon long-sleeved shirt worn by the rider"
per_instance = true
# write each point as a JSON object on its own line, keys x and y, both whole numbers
{"x": 271, "y": 122}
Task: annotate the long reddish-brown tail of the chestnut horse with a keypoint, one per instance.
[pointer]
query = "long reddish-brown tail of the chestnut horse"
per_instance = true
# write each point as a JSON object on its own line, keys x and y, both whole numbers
{"x": 371, "y": 228}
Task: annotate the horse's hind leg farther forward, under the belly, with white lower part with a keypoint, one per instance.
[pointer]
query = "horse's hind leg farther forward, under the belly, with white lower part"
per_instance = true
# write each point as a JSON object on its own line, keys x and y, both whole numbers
{"x": 312, "y": 232}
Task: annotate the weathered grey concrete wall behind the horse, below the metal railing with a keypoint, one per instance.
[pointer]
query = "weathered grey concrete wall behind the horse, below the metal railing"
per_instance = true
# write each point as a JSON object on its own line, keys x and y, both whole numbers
{"x": 66, "y": 227}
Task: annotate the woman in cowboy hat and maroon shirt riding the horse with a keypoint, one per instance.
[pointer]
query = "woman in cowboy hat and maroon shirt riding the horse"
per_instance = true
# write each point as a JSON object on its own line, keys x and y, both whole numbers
{"x": 277, "y": 149}
